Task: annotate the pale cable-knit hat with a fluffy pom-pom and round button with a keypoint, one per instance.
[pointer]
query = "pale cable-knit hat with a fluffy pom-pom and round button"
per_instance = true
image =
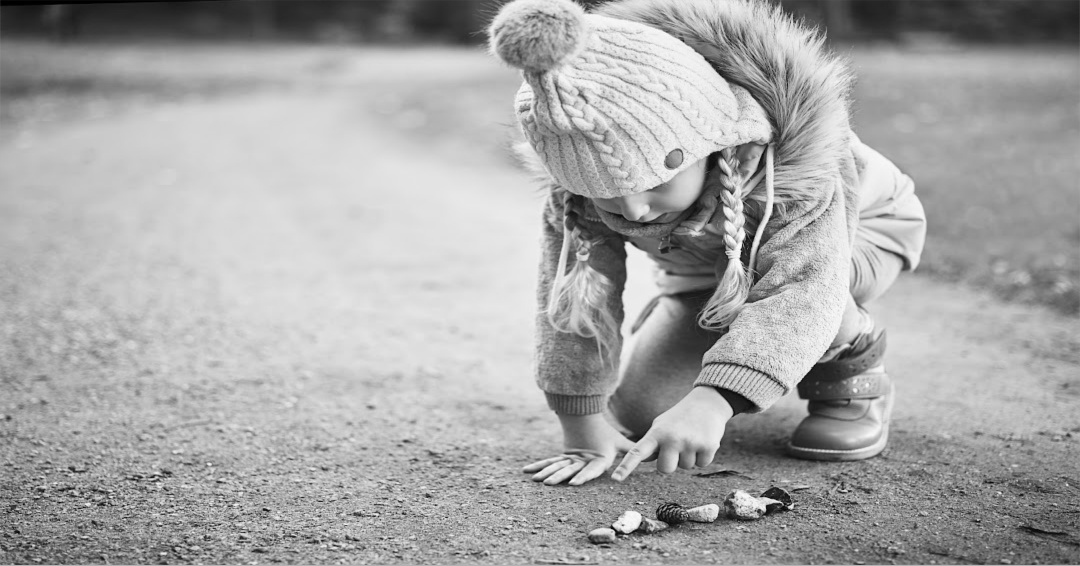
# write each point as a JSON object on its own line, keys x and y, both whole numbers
{"x": 615, "y": 107}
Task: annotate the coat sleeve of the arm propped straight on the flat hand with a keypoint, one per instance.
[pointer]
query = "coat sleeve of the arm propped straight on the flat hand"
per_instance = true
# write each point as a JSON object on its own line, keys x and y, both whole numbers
{"x": 569, "y": 368}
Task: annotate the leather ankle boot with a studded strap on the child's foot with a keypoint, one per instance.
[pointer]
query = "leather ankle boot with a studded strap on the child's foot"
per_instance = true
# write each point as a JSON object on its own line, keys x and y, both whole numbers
{"x": 850, "y": 402}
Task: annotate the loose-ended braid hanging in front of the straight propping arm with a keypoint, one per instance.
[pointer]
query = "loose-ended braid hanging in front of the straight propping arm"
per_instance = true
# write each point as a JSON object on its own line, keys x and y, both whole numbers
{"x": 578, "y": 300}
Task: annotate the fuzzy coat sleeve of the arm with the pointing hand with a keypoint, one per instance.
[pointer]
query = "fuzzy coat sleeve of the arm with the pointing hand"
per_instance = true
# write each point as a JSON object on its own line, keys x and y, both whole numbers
{"x": 795, "y": 307}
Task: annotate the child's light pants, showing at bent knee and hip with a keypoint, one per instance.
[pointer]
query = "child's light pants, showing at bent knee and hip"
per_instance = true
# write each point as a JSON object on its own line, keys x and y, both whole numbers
{"x": 666, "y": 353}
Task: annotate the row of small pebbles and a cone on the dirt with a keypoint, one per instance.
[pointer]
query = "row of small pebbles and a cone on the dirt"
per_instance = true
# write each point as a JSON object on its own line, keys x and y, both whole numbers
{"x": 739, "y": 505}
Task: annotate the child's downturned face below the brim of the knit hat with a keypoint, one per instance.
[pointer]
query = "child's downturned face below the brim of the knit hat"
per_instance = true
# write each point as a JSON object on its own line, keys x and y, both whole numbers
{"x": 664, "y": 204}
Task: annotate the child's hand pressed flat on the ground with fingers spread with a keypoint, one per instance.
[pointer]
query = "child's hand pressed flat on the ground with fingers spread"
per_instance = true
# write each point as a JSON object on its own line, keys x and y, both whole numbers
{"x": 591, "y": 447}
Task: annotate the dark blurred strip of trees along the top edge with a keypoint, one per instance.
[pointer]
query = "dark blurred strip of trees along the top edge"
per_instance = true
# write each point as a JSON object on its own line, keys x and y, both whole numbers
{"x": 461, "y": 21}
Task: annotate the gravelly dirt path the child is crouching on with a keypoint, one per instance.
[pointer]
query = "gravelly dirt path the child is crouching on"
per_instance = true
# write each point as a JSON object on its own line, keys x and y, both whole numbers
{"x": 267, "y": 330}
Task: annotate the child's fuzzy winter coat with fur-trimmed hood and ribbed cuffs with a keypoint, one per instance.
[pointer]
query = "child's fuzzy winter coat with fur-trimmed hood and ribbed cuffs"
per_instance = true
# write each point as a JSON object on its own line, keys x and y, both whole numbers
{"x": 829, "y": 186}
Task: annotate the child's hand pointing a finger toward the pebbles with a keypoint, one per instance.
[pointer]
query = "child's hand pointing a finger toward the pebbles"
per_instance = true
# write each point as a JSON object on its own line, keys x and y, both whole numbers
{"x": 684, "y": 437}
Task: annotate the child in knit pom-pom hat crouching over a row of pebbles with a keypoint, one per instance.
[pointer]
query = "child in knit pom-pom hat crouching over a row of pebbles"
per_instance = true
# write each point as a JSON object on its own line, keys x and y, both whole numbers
{"x": 714, "y": 137}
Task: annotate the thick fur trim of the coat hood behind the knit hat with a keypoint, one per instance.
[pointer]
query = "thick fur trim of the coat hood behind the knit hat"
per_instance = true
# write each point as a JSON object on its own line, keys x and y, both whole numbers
{"x": 805, "y": 89}
